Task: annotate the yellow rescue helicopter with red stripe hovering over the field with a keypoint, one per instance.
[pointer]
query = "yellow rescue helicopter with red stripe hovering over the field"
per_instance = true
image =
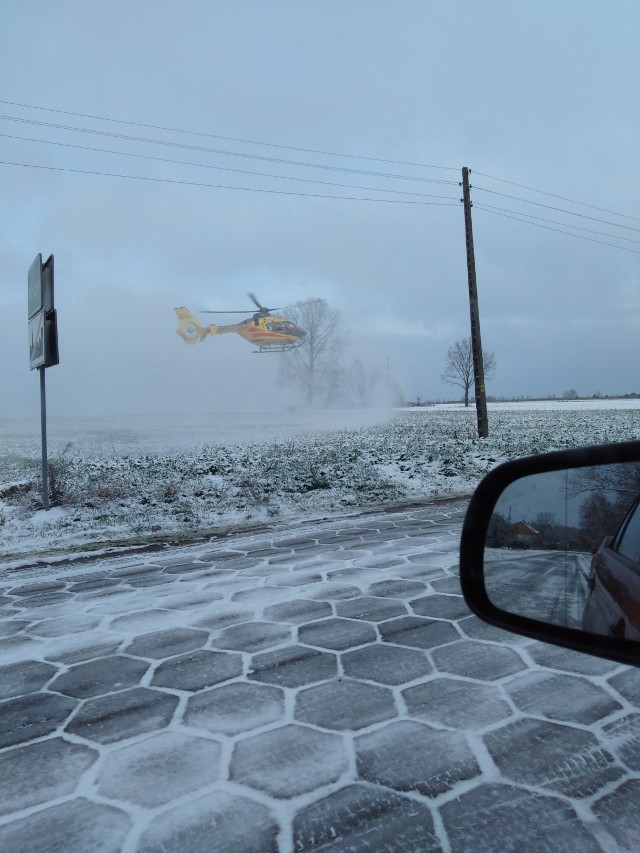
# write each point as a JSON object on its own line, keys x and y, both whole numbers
{"x": 263, "y": 329}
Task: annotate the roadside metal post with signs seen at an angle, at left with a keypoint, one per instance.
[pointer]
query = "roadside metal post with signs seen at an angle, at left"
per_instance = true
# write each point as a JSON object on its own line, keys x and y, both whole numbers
{"x": 43, "y": 343}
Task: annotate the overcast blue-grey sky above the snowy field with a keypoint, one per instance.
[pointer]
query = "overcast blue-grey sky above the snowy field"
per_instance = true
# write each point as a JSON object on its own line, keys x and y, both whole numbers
{"x": 538, "y": 95}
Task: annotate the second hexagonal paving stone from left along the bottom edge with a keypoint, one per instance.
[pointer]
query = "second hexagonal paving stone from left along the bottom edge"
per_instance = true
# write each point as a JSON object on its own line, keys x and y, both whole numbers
{"x": 217, "y": 823}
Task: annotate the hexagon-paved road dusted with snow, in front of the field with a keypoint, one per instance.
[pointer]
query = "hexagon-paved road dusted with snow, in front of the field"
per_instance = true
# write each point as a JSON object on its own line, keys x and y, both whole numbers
{"x": 323, "y": 689}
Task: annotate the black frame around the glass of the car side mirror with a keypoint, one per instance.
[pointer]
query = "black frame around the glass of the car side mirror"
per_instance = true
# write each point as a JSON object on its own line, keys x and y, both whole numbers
{"x": 473, "y": 550}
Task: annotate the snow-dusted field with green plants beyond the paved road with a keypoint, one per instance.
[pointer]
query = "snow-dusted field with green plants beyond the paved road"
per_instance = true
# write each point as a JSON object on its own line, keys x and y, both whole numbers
{"x": 128, "y": 481}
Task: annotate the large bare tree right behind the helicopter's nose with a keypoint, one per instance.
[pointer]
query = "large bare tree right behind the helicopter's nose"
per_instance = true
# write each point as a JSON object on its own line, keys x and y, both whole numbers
{"x": 312, "y": 365}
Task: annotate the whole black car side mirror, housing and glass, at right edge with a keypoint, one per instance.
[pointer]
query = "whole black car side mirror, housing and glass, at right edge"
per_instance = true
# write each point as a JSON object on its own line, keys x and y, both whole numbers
{"x": 551, "y": 549}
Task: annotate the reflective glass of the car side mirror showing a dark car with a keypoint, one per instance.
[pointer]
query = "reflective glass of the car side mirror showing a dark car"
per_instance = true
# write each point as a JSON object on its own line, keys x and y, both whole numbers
{"x": 563, "y": 547}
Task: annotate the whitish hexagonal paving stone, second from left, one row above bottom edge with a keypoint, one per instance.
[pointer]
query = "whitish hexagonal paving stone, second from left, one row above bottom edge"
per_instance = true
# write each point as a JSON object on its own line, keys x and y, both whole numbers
{"x": 190, "y": 763}
